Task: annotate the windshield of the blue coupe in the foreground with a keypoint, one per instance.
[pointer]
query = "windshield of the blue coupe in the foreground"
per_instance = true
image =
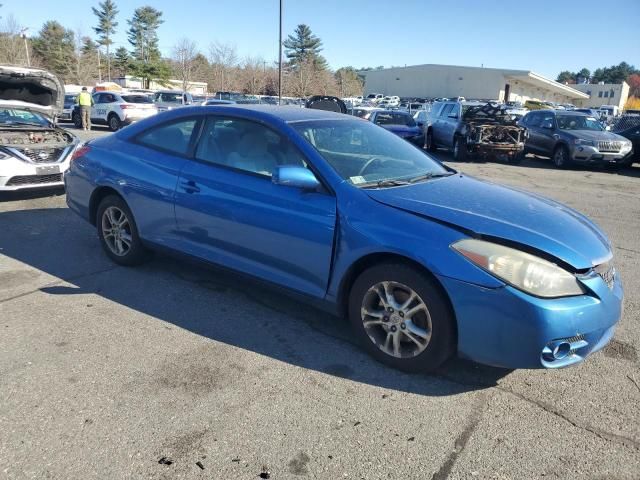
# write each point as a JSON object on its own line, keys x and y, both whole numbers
{"x": 364, "y": 155}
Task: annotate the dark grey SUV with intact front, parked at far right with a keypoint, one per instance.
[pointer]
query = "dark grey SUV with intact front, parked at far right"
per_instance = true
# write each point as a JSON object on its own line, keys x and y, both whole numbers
{"x": 567, "y": 136}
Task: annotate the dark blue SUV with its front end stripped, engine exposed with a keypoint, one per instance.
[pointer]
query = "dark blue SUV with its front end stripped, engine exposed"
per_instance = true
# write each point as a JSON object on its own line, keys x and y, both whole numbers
{"x": 475, "y": 129}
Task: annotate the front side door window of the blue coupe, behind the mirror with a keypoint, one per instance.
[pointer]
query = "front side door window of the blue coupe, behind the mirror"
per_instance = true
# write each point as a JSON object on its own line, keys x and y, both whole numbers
{"x": 245, "y": 145}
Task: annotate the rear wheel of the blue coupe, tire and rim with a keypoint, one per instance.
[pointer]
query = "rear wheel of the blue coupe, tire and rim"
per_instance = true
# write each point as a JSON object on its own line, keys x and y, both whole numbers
{"x": 118, "y": 232}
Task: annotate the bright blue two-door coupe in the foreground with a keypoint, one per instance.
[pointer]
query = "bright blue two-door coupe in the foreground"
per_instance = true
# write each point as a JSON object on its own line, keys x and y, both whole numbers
{"x": 425, "y": 262}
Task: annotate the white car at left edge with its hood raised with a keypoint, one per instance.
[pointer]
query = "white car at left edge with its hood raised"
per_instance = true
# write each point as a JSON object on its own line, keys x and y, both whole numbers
{"x": 34, "y": 152}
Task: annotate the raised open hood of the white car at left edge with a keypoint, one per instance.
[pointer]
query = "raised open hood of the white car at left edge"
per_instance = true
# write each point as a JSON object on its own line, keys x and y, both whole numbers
{"x": 31, "y": 89}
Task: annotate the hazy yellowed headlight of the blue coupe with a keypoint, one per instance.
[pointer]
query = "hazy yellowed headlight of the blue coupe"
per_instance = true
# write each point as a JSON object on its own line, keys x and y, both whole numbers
{"x": 522, "y": 270}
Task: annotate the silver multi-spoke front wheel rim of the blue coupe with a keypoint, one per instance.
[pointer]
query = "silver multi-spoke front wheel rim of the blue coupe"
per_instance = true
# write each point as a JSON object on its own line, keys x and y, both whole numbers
{"x": 396, "y": 319}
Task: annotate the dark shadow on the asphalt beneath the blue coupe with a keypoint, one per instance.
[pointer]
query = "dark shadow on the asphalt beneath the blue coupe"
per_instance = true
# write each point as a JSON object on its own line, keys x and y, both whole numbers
{"x": 216, "y": 305}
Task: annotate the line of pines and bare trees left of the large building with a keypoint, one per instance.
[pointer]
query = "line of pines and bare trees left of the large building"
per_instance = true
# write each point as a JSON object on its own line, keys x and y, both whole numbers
{"x": 82, "y": 59}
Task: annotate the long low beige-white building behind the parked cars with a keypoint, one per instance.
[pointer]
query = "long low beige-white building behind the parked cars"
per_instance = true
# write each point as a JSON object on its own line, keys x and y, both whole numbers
{"x": 449, "y": 81}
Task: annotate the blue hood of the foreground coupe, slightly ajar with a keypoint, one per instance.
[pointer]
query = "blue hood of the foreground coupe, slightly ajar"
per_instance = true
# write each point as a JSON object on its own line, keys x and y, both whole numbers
{"x": 491, "y": 210}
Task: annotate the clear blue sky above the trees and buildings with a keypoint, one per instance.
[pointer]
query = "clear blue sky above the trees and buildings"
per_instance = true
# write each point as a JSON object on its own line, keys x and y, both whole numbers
{"x": 543, "y": 36}
